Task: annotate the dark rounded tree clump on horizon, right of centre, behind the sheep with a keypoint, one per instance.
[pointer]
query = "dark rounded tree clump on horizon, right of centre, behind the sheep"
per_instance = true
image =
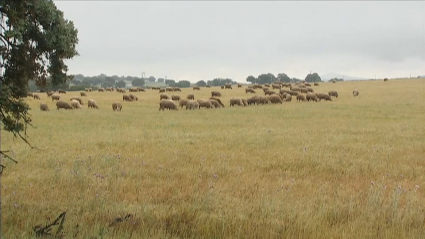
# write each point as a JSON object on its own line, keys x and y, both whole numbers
{"x": 269, "y": 78}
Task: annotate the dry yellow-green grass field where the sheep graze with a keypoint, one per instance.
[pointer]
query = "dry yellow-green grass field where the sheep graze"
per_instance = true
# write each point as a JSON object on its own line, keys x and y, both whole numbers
{"x": 351, "y": 168}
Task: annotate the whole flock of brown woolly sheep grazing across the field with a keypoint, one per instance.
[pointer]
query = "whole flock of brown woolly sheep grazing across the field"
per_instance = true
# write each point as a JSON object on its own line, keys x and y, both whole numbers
{"x": 301, "y": 91}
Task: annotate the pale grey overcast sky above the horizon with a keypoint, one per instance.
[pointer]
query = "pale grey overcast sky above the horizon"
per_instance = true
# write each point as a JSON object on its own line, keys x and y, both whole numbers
{"x": 200, "y": 40}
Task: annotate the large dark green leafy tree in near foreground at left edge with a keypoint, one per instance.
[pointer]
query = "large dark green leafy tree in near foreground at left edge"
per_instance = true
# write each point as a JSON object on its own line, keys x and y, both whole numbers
{"x": 34, "y": 42}
